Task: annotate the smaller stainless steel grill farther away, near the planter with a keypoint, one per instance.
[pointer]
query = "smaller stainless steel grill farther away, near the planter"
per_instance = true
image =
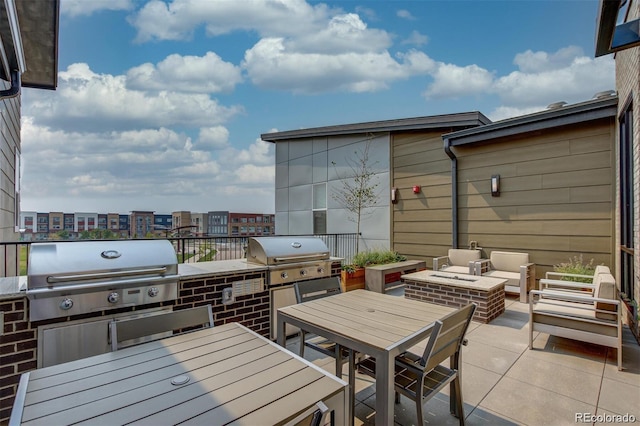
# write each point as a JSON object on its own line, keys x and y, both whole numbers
{"x": 290, "y": 259}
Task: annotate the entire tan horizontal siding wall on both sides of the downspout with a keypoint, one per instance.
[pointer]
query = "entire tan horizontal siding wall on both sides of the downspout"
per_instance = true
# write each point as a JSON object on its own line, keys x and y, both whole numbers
{"x": 556, "y": 195}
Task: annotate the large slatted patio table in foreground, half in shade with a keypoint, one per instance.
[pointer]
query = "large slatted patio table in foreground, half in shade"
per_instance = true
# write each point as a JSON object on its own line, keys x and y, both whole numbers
{"x": 221, "y": 375}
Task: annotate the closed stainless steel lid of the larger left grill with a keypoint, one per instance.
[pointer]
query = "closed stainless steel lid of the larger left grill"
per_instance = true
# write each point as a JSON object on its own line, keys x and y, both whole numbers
{"x": 65, "y": 264}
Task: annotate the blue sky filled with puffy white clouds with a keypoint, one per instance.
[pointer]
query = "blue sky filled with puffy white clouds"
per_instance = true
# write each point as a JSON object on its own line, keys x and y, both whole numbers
{"x": 160, "y": 104}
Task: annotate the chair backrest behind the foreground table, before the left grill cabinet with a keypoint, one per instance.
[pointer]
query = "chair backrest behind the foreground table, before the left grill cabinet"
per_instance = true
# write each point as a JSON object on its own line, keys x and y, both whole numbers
{"x": 124, "y": 330}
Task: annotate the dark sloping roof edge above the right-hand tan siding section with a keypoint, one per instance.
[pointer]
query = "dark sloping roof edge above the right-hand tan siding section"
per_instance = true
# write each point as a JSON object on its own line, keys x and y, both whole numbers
{"x": 571, "y": 114}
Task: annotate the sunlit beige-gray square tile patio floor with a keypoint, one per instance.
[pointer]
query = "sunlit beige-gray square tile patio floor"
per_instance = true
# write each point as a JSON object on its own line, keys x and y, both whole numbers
{"x": 505, "y": 383}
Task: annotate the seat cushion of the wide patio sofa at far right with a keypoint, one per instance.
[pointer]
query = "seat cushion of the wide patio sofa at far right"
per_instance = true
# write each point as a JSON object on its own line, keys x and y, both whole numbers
{"x": 573, "y": 315}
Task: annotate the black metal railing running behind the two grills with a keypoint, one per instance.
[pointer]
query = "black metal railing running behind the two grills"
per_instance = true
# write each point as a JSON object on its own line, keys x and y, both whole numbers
{"x": 15, "y": 255}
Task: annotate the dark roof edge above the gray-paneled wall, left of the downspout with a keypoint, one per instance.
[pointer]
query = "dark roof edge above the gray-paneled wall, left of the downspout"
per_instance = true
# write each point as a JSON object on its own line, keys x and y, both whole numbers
{"x": 464, "y": 119}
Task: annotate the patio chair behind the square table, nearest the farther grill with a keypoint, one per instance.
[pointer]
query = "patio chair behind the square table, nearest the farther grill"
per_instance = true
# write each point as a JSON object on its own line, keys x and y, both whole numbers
{"x": 317, "y": 289}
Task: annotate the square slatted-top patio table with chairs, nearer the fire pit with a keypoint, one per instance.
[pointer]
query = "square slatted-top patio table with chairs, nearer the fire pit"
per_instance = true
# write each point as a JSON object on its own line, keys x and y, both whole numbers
{"x": 379, "y": 325}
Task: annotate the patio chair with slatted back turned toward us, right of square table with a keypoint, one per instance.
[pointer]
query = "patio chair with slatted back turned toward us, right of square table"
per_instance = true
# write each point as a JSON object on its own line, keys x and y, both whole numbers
{"x": 420, "y": 378}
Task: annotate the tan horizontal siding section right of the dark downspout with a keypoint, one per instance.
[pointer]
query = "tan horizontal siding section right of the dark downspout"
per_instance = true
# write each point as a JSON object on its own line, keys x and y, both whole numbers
{"x": 556, "y": 200}
